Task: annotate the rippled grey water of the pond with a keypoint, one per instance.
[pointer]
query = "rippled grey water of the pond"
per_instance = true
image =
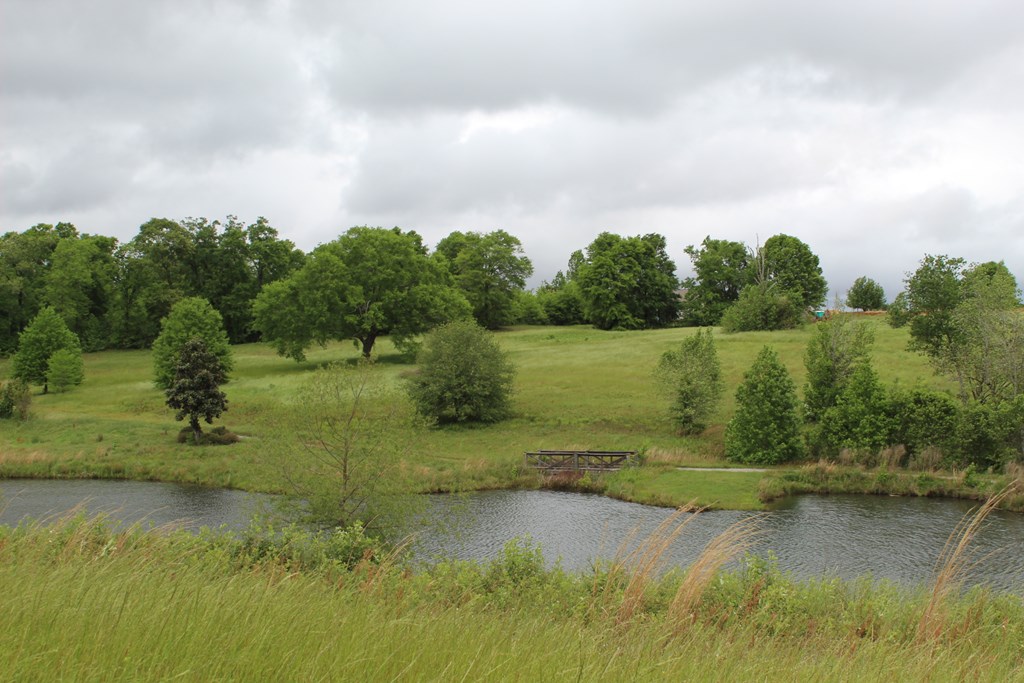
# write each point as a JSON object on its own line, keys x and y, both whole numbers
{"x": 898, "y": 539}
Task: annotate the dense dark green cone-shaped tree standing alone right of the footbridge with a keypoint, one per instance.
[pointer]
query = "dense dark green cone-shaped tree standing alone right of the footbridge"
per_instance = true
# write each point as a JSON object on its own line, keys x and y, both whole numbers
{"x": 765, "y": 430}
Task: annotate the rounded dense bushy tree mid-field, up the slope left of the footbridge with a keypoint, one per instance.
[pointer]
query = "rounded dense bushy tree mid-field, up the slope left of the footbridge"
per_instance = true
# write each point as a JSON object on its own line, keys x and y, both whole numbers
{"x": 464, "y": 376}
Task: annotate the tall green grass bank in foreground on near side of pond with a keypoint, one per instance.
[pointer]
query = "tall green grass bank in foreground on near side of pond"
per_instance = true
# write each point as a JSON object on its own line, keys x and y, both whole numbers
{"x": 86, "y": 604}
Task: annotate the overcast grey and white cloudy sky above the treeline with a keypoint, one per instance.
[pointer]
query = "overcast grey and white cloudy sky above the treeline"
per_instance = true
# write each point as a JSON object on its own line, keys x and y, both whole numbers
{"x": 876, "y": 132}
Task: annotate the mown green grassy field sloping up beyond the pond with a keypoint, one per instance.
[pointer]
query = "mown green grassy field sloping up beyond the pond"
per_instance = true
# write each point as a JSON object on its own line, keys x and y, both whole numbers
{"x": 577, "y": 389}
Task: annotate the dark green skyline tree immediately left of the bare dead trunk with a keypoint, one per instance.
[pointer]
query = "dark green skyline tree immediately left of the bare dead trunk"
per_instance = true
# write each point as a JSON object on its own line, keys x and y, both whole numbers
{"x": 721, "y": 271}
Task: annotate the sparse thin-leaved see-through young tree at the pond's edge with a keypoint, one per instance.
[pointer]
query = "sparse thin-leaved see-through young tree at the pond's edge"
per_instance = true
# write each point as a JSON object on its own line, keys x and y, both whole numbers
{"x": 354, "y": 435}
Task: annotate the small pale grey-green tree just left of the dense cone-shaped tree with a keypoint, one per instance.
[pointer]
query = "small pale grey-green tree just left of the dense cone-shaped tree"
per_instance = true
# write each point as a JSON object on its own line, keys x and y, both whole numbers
{"x": 692, "y": 376}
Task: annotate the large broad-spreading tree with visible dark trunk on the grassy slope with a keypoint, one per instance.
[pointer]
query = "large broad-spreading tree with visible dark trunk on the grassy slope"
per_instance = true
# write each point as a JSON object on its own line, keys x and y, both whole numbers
{"x": 368, "y": 283}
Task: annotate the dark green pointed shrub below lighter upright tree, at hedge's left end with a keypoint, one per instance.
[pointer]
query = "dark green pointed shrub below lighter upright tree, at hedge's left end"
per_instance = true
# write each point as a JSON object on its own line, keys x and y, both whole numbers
{"x": 860, "y": 420}
